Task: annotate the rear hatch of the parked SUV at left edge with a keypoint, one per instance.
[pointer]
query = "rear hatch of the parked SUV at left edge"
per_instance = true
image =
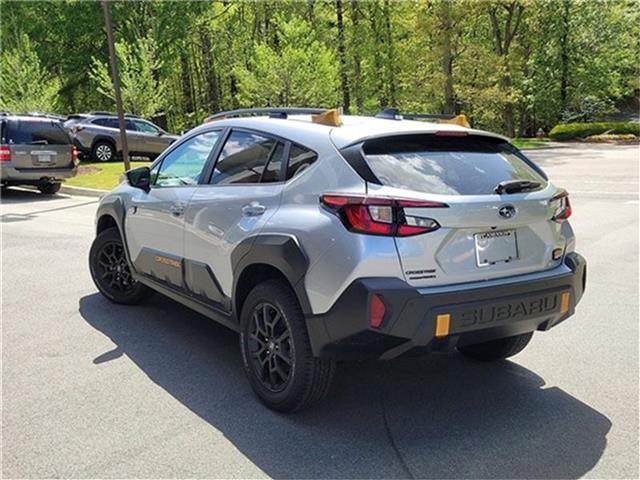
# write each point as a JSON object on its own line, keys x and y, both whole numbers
{"x": 38, "y": 144}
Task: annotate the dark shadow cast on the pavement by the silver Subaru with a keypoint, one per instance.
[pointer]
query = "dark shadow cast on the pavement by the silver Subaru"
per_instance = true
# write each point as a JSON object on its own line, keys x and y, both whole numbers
{"x": 437, "y": 417}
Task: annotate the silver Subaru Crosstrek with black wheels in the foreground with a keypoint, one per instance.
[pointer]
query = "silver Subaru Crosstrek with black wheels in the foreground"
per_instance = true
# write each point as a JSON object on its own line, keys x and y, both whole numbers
{"x": 320, "y": 239}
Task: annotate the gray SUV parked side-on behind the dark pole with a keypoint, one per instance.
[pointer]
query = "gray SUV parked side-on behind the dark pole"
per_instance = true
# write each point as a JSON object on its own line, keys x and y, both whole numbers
{"x": 98, "y": 136}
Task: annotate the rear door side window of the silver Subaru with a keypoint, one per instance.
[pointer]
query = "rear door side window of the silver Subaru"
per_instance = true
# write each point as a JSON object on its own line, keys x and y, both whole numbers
{"x": 244, "y": 157}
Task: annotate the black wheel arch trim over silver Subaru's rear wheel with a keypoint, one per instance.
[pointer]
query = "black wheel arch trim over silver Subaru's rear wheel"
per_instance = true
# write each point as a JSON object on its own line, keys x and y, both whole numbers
{"x": 282, "y": 252}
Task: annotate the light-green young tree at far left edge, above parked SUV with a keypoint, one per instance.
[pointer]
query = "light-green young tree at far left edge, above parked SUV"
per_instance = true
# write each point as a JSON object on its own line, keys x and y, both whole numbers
{"x": 25, "y": 85}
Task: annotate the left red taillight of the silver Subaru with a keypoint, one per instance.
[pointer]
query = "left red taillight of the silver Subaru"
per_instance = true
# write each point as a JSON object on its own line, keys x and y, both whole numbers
{"x": 381, "y": 215}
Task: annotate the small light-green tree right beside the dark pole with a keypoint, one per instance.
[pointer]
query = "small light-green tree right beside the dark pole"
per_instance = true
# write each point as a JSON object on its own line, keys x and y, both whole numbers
{"x": 143, "y": 93}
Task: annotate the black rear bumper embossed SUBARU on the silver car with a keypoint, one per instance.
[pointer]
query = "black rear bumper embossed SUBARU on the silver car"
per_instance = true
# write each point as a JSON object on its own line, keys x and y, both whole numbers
{"x": 476, "y": 313}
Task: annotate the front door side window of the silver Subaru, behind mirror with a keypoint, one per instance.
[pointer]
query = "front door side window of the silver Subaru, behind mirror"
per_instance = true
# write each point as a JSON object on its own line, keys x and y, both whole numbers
{"x": 184, "y": 165}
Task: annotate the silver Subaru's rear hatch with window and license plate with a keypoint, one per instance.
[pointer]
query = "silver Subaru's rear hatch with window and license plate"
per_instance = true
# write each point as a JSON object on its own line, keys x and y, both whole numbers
{"x": 483, "y": 234}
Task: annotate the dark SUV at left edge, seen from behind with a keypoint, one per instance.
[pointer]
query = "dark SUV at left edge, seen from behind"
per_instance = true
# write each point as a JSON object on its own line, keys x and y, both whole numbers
{"x": 35, "y": 150}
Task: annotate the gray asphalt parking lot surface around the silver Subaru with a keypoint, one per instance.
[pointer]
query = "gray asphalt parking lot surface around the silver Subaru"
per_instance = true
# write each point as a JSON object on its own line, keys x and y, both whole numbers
{"x": 91, "y": 389}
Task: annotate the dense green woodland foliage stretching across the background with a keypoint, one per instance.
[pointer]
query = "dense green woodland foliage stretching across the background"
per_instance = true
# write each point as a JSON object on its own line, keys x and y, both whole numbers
{"x": 510, "y": 65}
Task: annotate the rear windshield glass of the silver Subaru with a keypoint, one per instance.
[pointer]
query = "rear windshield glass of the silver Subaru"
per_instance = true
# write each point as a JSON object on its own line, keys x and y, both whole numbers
{"x": 470, "y": 165}
